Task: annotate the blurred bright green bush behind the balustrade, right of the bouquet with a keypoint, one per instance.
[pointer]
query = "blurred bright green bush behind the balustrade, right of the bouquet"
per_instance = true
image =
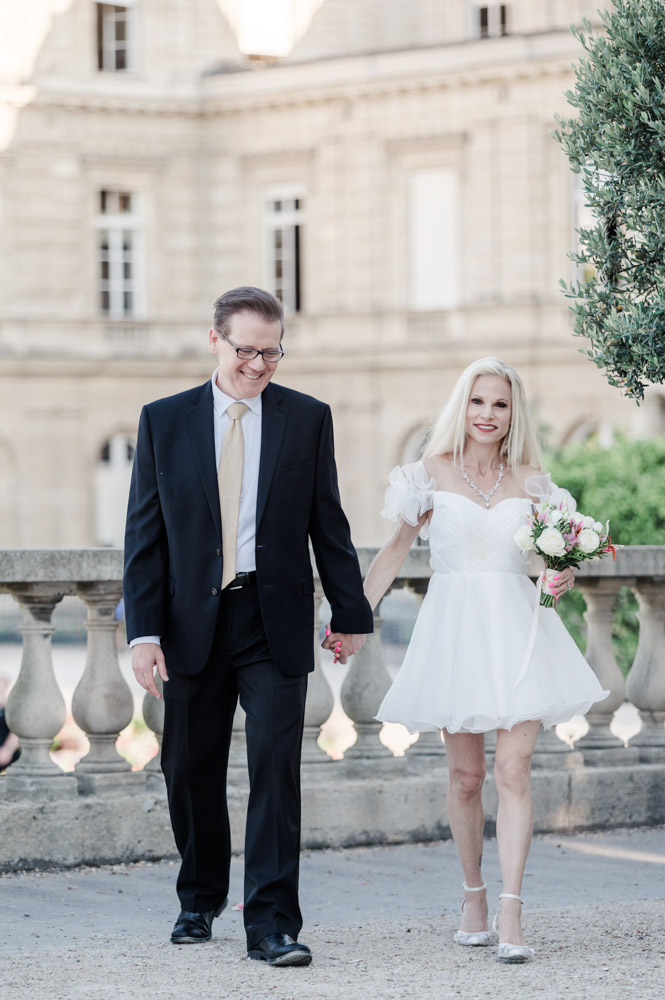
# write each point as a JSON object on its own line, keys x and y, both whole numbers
{"x": 625, "y": 484}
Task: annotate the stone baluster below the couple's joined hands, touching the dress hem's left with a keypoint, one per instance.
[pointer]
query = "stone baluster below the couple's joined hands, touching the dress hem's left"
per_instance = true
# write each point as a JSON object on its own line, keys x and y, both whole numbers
{"x": 364, "y": 687}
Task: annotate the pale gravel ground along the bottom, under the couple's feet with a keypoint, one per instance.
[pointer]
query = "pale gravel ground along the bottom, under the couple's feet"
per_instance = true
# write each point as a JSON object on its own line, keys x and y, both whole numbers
{"x": 588, "y": 952}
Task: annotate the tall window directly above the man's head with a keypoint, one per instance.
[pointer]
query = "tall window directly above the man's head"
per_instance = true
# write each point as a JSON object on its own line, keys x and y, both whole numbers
{"x": 284, "y": 217}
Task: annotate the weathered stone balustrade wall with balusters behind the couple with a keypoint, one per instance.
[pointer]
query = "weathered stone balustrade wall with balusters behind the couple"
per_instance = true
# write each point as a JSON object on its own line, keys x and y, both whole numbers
{"x": 103, "y": 812}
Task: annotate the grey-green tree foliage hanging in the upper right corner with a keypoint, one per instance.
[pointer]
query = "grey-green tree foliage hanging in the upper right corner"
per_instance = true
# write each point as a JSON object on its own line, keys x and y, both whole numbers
{"x": 617, "y": 143}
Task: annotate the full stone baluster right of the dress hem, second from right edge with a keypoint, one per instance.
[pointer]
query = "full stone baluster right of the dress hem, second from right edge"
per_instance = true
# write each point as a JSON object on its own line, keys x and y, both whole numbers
{"x": 600, "y": 746}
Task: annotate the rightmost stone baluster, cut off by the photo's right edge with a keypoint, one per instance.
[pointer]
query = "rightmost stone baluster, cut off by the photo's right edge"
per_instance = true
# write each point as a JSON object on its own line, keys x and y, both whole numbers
{"x": 646, "y": 681}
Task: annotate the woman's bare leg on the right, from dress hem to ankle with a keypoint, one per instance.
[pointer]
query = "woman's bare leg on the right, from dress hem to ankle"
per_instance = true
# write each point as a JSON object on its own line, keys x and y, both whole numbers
{"x": 514, "y": 821}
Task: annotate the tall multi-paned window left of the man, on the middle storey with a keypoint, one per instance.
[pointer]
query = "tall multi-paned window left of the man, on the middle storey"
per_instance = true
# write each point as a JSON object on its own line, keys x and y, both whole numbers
{"x": 120, "y": 287}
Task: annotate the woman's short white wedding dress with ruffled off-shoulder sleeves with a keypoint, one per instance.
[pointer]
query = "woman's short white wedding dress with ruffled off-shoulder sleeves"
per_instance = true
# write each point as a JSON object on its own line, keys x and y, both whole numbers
{"x": 466, "y": 653}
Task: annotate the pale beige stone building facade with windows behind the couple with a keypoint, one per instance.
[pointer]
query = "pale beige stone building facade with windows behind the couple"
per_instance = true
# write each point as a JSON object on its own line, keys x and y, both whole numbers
{"x": 394, "y": 179}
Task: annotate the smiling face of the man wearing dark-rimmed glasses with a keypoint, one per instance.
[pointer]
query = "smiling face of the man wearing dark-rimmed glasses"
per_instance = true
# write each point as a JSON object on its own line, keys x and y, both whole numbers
{"x": 244, "y": 379}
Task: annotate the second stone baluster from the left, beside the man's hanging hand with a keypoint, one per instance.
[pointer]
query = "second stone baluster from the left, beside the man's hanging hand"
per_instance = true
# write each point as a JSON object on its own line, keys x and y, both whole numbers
{"x": 102, "y": 704}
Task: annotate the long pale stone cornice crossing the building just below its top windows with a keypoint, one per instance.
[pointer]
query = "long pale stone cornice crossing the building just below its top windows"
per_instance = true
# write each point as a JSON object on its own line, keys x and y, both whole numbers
{"x": 287, "y": 85}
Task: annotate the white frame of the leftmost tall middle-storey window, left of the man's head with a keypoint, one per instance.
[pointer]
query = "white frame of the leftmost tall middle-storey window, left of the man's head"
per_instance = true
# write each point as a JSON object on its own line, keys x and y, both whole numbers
{"x": 116, "y": 225}
